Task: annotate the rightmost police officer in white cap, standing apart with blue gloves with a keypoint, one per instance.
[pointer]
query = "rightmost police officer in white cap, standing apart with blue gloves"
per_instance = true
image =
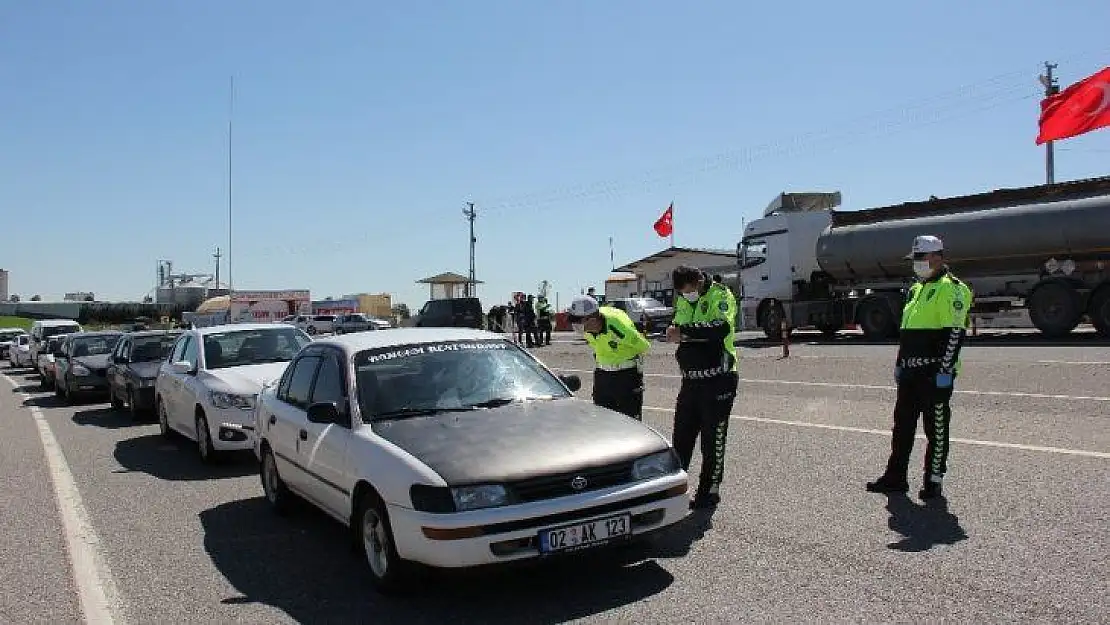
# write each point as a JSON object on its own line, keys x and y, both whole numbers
{"x": 934, "y": 326}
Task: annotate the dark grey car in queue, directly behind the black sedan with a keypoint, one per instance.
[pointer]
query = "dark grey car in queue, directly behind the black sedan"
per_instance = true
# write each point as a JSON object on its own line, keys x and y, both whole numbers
{"x": 82, "y": 364}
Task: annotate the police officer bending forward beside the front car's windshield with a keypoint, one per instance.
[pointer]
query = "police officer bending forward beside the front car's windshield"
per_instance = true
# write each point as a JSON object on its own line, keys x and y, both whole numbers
{"x": 619, "y": 350}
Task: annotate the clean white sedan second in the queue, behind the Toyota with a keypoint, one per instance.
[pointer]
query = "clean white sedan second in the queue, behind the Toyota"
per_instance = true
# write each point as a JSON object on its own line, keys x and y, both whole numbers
{"x": 206, "y": 390}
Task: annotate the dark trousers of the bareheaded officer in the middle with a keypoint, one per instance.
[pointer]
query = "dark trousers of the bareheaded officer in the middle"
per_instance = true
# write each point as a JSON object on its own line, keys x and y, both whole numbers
{"x": 703, "y": 409}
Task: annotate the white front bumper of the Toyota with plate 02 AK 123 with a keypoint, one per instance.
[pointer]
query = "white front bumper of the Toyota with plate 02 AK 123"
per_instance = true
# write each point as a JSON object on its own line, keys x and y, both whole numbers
{"x": 511, "y": 535}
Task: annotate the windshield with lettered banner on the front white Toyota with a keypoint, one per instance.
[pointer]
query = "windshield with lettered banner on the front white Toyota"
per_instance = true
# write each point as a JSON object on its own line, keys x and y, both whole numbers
{"x": 420, "y": 379}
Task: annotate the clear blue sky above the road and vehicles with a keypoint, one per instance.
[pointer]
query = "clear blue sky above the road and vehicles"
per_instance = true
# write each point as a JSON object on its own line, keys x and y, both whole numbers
{"x": 361, "y": 129}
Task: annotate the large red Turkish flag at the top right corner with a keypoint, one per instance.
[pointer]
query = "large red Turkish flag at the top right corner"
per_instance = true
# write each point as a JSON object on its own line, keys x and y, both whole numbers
{"x": 1079, "y": 109}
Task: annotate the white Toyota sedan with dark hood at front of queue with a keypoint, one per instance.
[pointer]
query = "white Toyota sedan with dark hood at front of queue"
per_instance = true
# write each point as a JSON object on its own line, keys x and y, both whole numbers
{"x": 455, "y": 448}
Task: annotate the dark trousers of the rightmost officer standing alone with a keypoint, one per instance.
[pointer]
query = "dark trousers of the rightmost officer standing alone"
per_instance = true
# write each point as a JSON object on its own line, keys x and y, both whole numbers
{"x": 920, "y": 397}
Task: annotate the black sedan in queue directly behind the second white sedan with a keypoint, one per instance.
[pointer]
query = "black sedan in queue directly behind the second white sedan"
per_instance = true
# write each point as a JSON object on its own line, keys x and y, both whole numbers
{"x": 134, "y": 368}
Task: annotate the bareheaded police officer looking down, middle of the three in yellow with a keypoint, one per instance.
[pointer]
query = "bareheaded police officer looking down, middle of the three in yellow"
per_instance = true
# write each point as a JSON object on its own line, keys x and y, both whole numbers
{"x": 705, "y": 330}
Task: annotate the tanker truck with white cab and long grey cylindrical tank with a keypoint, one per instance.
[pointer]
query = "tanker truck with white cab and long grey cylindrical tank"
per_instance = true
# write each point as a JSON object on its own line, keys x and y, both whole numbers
{"x": 1045, "y": 249}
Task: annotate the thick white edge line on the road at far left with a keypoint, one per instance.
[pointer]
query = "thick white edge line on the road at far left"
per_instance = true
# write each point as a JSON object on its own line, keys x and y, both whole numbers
{"x": 100, "y": 600}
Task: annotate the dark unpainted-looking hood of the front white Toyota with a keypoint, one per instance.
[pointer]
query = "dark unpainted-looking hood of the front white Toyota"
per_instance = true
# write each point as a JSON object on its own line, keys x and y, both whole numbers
{"x": 521, "y": 441}
